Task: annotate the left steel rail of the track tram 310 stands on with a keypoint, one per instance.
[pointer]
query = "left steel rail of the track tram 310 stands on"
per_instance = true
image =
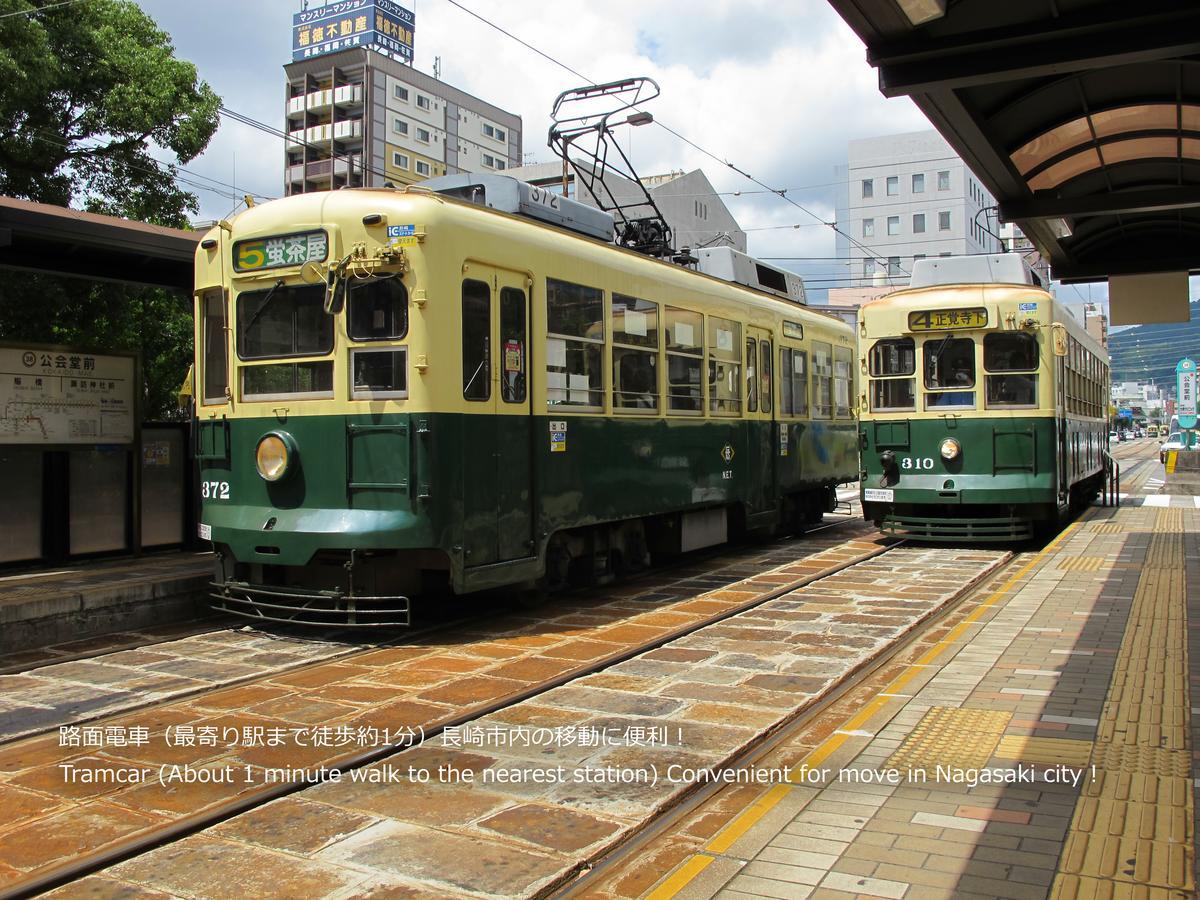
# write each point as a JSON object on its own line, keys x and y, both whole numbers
{"x": 140, "y": 844}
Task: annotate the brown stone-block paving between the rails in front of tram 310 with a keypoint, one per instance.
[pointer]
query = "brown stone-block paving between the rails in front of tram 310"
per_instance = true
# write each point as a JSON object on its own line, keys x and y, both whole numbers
{"x": 515, "y": 833}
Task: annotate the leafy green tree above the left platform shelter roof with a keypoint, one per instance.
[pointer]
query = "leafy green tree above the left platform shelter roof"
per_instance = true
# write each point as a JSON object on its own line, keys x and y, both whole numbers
{"x": 88, "y": 89}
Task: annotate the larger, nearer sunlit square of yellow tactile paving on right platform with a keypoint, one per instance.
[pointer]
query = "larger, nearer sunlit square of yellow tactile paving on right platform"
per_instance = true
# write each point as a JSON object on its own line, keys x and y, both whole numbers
{"x": 952, "y": 737}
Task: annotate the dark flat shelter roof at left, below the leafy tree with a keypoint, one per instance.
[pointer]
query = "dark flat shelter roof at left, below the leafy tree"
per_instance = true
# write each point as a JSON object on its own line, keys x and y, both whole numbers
{"x": 67, "y": 242}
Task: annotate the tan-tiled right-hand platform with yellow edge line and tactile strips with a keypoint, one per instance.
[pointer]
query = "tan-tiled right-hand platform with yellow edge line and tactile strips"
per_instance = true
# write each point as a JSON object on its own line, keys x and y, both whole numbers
{"x": 1040, "y": 746}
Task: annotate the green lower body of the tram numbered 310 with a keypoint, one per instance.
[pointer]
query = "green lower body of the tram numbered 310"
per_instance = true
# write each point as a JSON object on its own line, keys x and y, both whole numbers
{"x": 1013, "y": 479}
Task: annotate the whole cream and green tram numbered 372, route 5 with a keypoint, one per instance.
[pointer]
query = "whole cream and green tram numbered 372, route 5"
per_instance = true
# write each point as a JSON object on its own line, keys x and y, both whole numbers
{"x": 401, "y": 393}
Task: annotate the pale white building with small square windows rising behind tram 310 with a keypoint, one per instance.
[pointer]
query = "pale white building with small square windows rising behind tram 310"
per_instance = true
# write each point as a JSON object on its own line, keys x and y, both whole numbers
{"x": 909, "y": 197}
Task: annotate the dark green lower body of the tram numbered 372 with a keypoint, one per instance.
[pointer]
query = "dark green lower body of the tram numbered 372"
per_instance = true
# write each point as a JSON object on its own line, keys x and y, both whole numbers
{"x": 376, "y": 509}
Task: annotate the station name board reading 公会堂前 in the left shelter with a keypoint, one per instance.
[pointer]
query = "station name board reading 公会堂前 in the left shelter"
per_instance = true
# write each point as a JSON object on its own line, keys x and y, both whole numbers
{"x": 61, "y": 397}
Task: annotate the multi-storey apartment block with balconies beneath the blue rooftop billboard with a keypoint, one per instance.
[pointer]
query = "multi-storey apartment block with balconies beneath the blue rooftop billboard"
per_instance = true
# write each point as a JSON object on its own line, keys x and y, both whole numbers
{"x": 359, "y": 118}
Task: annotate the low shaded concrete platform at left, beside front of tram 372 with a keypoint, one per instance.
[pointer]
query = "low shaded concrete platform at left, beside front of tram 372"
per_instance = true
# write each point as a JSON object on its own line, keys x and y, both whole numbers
{"x": 44, "y": 609}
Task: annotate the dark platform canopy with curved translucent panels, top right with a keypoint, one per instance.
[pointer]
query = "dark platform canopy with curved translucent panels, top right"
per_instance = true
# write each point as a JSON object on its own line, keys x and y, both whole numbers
{"x": 1082, "y": 117}
